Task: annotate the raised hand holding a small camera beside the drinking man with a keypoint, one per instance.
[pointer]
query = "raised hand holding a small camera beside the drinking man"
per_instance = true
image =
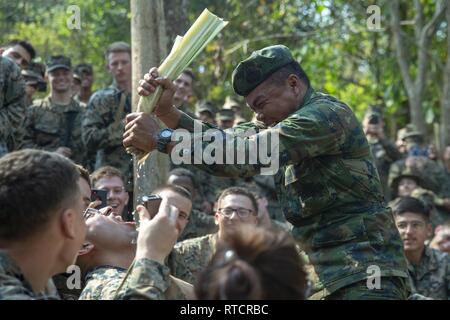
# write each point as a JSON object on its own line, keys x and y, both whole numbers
{"x": 157, "y": 236}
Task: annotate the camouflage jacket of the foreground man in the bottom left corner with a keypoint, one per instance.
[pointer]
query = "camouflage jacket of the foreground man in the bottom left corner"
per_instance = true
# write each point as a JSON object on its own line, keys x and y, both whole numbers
{"x": 14, "y": 286}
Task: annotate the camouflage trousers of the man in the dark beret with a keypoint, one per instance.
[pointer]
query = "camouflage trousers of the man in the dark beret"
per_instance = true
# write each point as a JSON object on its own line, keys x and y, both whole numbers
{"x": 391, "y": 288}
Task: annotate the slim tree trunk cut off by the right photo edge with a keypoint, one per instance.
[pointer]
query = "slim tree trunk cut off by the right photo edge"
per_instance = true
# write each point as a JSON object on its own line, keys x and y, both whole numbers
{"x": 445, "y": 100}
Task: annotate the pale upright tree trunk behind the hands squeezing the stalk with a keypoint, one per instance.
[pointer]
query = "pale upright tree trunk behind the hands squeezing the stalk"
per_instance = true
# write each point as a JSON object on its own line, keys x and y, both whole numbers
{"x": 149, "y": 48}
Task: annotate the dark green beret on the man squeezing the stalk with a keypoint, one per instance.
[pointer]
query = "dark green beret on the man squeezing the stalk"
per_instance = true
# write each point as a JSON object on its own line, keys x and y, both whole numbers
{"x": 258, "y": 67}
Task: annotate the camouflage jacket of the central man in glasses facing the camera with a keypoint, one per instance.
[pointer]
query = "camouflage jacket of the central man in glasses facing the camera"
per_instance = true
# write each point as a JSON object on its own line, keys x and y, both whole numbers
{"x": 188, "y": 258}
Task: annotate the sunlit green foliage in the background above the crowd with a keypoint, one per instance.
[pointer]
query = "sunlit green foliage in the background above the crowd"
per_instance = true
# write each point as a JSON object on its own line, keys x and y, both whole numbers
{"x": 330, "y": 39}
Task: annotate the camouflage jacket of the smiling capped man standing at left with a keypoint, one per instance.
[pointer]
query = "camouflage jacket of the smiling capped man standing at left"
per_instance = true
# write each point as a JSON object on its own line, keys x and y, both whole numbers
{"x": 49, "y": 126}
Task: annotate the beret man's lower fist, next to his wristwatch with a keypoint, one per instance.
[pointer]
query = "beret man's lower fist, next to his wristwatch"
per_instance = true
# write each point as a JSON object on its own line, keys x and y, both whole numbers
{"x": 141, "y": 132}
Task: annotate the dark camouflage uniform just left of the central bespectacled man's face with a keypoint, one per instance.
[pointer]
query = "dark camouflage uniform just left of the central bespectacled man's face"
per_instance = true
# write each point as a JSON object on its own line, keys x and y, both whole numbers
{"x": 199, "y": 224}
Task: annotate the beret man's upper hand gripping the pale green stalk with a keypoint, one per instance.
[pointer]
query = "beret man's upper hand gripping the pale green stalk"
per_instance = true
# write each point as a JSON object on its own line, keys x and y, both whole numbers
{"x": 149, "y": 84}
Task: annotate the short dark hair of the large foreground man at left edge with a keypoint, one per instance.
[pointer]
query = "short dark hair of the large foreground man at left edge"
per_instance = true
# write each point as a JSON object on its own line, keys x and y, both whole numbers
{"x": 33, "y": 185}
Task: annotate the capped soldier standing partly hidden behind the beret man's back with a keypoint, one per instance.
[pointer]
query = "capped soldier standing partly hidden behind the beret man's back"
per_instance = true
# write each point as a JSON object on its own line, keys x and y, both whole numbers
{"x": 384, "y": 151}
